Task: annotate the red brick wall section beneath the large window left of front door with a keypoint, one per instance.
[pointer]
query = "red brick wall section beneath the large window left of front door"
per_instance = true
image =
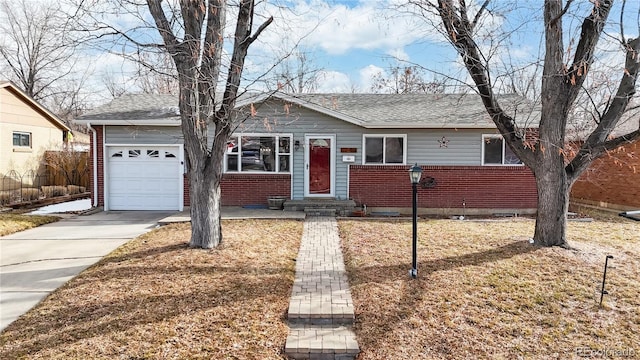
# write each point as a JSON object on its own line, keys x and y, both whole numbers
{"x": 249, "y": 189}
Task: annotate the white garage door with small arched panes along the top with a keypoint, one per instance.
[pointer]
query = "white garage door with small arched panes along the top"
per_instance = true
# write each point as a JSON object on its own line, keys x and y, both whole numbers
{"x": 144, "y": 178}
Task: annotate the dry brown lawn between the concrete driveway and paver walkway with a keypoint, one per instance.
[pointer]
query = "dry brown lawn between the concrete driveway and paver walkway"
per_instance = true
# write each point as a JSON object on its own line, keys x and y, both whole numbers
{"x": 155, "y": 298}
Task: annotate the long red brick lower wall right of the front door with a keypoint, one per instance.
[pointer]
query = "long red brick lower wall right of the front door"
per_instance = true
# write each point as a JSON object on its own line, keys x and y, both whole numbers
{"x": 482, "y": 187}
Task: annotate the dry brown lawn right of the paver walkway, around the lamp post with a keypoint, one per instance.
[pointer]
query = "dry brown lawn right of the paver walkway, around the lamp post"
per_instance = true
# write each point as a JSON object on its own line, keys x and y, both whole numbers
{"x": 484, "y": 292}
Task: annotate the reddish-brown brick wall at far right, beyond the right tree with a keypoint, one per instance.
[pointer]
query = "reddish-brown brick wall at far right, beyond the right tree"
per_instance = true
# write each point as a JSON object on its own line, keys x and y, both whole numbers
{"x": 614, "y": 178}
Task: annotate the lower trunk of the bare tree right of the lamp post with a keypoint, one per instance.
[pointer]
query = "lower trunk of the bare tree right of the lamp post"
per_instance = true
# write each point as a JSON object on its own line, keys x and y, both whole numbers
{"x": 553, "y": 203}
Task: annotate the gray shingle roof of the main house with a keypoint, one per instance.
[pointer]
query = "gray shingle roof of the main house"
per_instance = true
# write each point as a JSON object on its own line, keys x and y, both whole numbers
{"x": 367, "y": 110}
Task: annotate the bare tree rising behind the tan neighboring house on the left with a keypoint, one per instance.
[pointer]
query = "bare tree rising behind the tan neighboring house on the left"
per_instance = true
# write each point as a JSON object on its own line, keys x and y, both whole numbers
{"x": 41, "y": 55}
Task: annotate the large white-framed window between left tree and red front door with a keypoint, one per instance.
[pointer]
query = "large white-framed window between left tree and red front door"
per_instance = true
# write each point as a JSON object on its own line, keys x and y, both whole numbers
{"x": 258, "y": 153}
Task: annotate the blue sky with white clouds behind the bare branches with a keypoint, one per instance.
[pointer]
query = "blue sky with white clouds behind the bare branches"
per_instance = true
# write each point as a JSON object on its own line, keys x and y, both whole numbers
{"x": 349, "y": 41}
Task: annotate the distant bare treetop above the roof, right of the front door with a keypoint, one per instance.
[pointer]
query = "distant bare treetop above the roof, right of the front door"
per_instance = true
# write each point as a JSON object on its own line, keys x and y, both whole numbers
{"x": 405, "y": 80}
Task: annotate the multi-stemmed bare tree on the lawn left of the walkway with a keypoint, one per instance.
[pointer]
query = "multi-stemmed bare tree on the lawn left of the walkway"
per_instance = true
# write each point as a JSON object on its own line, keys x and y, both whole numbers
{"x": 192, "y": 33}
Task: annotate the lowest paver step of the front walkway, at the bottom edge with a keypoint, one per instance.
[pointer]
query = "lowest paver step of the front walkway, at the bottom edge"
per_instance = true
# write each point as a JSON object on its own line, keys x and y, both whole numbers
{"x": 321, "y": 342}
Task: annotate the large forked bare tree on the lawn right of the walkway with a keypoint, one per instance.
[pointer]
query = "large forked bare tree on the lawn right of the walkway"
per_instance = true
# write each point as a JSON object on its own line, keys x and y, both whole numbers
{"x": 565, "y": 70}
